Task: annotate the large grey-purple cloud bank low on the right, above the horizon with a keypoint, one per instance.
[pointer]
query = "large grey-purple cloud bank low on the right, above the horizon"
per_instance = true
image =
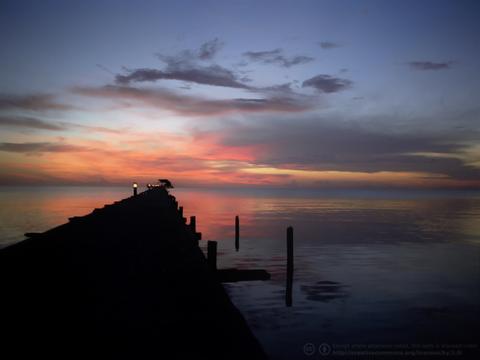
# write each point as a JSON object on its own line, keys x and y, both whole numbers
{"x": 316, "y": 144}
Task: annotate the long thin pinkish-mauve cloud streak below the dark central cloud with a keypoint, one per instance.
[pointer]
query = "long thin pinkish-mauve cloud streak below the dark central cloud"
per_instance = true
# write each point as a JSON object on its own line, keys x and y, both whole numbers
{"x": 193, "y": 105}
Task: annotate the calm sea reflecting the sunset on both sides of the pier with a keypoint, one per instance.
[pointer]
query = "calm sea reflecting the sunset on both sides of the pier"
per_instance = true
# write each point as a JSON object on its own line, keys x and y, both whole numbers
{"x": 371, "y": 268}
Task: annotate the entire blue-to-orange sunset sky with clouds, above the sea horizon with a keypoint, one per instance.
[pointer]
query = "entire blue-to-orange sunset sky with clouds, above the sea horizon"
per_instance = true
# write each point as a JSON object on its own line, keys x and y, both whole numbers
{"x": 314, "y": 94}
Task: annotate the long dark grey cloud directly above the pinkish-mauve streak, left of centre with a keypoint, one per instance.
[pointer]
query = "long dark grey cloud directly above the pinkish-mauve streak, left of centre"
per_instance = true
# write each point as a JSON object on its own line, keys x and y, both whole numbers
{"x": 214, "y": 75}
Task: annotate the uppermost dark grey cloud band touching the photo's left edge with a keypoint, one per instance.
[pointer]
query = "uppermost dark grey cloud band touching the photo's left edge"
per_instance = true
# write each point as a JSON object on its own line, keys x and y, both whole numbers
{"x": 33, "y": 102}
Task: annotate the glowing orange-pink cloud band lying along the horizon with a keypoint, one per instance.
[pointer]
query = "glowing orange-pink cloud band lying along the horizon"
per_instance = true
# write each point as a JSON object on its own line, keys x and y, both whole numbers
{"x": 204, "y": 159}
